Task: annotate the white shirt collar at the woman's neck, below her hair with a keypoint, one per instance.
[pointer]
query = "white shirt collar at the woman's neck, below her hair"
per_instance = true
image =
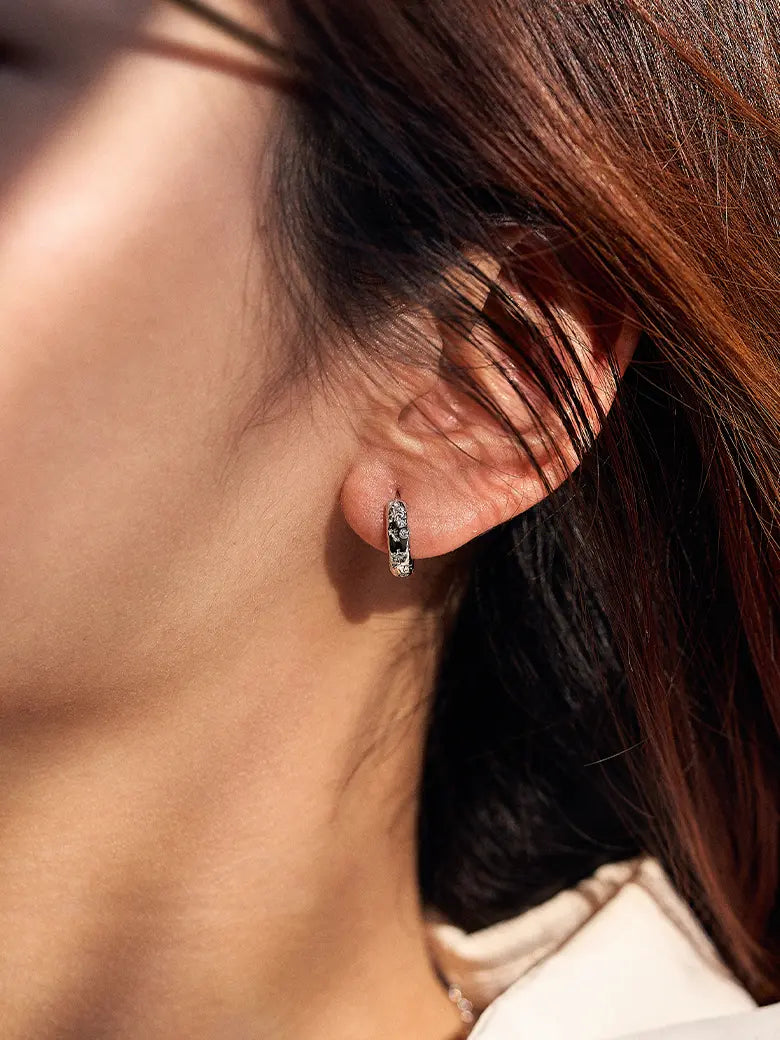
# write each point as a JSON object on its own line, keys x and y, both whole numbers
{"x": 617, "y": 957}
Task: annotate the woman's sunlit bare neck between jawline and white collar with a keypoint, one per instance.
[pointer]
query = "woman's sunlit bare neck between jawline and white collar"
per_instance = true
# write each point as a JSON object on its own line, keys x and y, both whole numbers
{"x": 237, "y": 859}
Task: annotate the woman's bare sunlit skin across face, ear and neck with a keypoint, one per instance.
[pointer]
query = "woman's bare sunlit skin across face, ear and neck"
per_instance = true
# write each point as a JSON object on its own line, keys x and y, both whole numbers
{"x": 213, "y": 692}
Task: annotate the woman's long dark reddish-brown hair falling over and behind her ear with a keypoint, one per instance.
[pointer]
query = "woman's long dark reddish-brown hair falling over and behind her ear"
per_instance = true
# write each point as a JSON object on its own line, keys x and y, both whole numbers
{"x": 609, "y": 683}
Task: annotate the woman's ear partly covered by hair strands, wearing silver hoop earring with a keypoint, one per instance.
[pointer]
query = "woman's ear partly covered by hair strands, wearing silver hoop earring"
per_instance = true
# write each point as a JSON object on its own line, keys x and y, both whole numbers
{"x": 460, "y": 471}
